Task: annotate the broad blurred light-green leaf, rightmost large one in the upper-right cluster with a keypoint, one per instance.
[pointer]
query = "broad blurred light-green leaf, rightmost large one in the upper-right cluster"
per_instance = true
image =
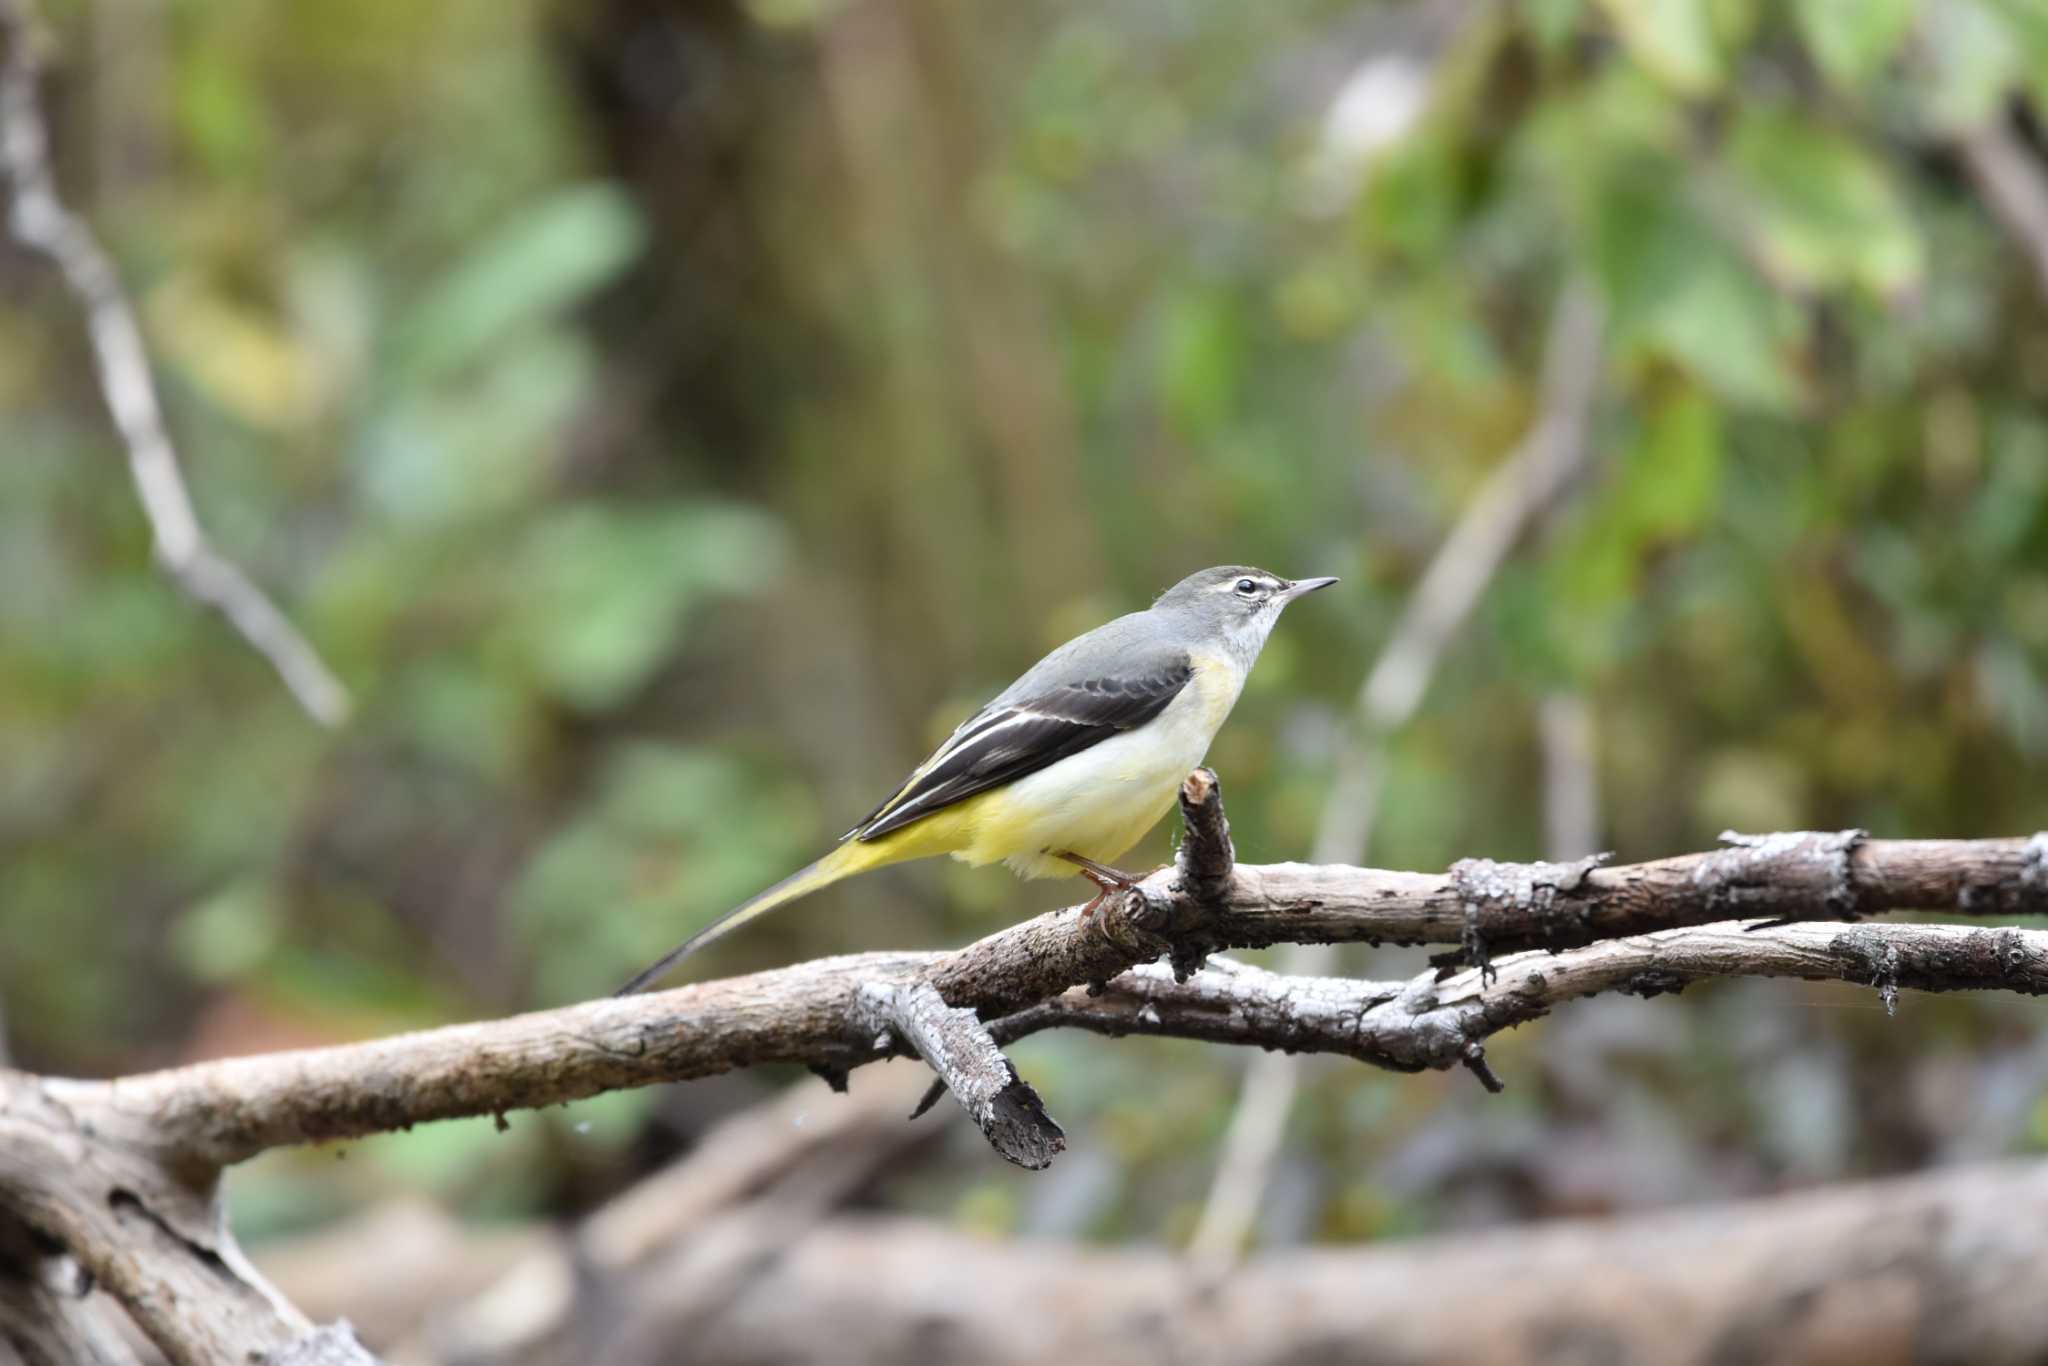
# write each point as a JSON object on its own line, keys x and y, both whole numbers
{"x": 1826, "y": 212}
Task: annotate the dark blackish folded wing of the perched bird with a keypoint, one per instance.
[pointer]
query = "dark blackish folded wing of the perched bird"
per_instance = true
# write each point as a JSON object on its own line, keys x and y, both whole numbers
{"x": 1013, "y": 740}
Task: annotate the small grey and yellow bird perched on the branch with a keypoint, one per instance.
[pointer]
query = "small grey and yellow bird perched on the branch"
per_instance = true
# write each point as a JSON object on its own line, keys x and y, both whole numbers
{"x": 1072, "y": 763}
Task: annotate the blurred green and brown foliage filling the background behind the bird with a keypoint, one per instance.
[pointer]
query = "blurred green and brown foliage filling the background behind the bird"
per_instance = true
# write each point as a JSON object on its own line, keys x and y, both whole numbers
{"x": 673, "y": 417}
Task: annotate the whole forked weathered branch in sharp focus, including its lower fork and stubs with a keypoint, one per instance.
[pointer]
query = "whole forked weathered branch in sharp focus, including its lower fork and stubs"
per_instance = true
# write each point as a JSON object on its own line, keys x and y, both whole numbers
{"x": 124, "y": 1175}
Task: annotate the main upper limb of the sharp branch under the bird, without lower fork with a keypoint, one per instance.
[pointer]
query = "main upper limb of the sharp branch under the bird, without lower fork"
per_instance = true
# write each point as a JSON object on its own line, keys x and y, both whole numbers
{"x": 814, "y": 1013}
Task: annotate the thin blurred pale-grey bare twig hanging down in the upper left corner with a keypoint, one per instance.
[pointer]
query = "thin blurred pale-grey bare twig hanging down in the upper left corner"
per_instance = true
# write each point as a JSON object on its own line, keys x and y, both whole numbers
{"x": 44, "y": 224}
